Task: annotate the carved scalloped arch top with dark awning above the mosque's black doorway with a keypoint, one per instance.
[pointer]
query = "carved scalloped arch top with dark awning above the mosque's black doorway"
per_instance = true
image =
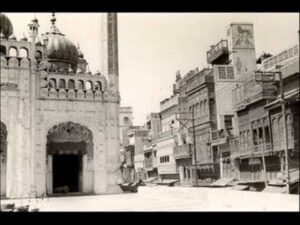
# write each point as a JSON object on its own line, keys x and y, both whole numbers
{"x": 70, "y": 138}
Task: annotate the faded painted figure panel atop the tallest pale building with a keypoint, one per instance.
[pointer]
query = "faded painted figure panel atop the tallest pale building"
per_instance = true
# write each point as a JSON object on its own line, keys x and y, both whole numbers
{"x": 242, "y": 36}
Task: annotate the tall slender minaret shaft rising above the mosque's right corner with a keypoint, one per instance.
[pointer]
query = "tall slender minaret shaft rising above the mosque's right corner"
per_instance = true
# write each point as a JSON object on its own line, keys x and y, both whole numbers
{"x": 110, "y": 62}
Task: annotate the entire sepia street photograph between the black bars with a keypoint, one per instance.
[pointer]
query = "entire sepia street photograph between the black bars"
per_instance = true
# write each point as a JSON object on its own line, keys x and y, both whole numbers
{"x": 155, "y": 112}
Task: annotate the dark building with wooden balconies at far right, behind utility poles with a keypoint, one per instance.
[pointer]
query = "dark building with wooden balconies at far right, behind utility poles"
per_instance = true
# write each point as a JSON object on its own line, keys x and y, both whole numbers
{"x": 259, "y": 152}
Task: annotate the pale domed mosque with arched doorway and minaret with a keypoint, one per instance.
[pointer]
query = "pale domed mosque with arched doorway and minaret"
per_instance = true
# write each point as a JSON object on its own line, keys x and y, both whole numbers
{"x": 59, "y": 122}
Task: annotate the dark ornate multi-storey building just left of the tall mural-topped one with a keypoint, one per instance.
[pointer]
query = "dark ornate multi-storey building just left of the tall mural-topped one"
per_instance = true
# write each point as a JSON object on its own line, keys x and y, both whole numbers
{"x": 197, "y": 92}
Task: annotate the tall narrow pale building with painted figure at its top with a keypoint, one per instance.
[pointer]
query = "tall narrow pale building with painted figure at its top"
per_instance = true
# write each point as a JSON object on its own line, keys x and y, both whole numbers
{"x": 231, "y": 60}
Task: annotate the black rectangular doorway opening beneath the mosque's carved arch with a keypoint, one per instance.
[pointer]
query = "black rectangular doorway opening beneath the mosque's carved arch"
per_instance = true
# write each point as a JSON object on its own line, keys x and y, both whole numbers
{"x": 66, "y": 170}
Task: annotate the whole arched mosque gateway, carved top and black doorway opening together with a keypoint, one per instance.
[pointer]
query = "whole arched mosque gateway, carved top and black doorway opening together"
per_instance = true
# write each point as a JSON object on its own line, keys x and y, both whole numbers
{"x": 67, "y": 145}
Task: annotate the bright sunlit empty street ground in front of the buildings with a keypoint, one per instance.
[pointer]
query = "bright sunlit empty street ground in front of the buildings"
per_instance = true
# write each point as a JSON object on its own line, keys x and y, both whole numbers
{"x": 167, "y": 199}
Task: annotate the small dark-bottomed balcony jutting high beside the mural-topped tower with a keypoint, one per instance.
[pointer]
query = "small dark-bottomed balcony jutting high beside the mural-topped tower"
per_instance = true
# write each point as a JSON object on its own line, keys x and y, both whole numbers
{"x": 218, "y": 54}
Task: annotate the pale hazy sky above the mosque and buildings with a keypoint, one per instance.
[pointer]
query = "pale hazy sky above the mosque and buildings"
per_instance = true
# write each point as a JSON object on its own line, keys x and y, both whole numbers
{"x": 153, "y": 46}
